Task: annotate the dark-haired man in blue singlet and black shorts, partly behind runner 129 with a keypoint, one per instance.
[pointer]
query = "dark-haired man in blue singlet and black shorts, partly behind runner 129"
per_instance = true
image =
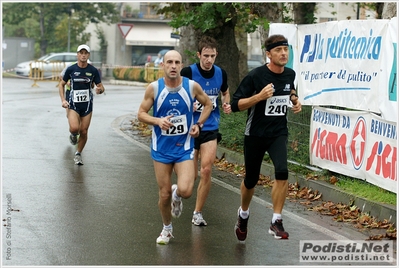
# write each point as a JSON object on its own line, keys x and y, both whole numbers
{"x": 213, "y": 80}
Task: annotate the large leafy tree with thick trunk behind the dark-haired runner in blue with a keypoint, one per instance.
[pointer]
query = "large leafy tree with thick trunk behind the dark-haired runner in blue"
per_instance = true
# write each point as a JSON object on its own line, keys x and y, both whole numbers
{"x": 224, "y": 22}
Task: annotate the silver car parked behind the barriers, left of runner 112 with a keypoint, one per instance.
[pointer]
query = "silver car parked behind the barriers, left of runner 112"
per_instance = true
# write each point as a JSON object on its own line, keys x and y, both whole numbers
{"x": 46, "y": 64}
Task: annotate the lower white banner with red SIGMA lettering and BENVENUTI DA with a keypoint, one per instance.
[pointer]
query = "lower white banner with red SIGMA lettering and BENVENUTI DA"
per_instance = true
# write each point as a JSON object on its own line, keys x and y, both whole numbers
{"x": 357, "y": 144}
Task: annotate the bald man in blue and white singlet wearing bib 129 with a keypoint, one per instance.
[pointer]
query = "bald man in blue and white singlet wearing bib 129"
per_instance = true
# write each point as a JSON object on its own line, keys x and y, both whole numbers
{"x": 171, "y": 99}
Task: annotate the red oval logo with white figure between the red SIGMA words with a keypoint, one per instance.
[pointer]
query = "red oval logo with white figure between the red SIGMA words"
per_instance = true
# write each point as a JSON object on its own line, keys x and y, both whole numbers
{"x": 358, "y": 143}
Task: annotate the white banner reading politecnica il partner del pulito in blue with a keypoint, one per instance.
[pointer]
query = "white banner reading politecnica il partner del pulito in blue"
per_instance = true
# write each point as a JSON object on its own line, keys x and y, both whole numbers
{"x": 340, "y": 63}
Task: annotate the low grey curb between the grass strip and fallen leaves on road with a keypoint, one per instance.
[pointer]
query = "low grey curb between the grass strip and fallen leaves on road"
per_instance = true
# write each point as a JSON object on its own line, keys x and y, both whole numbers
{"x": 329, "y": 191}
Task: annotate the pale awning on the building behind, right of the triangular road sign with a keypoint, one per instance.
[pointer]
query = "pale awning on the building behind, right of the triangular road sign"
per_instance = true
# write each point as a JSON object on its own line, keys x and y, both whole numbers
{"x": 150, "y": 35}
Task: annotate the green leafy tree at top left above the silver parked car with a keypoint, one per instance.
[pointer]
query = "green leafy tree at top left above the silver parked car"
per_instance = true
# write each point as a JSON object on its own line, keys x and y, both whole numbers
{"x": 50, "y": 14}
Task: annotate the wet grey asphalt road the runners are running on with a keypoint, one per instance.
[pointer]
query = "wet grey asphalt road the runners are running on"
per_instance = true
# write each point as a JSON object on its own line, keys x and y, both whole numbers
{"x": 105, "y": 212}
